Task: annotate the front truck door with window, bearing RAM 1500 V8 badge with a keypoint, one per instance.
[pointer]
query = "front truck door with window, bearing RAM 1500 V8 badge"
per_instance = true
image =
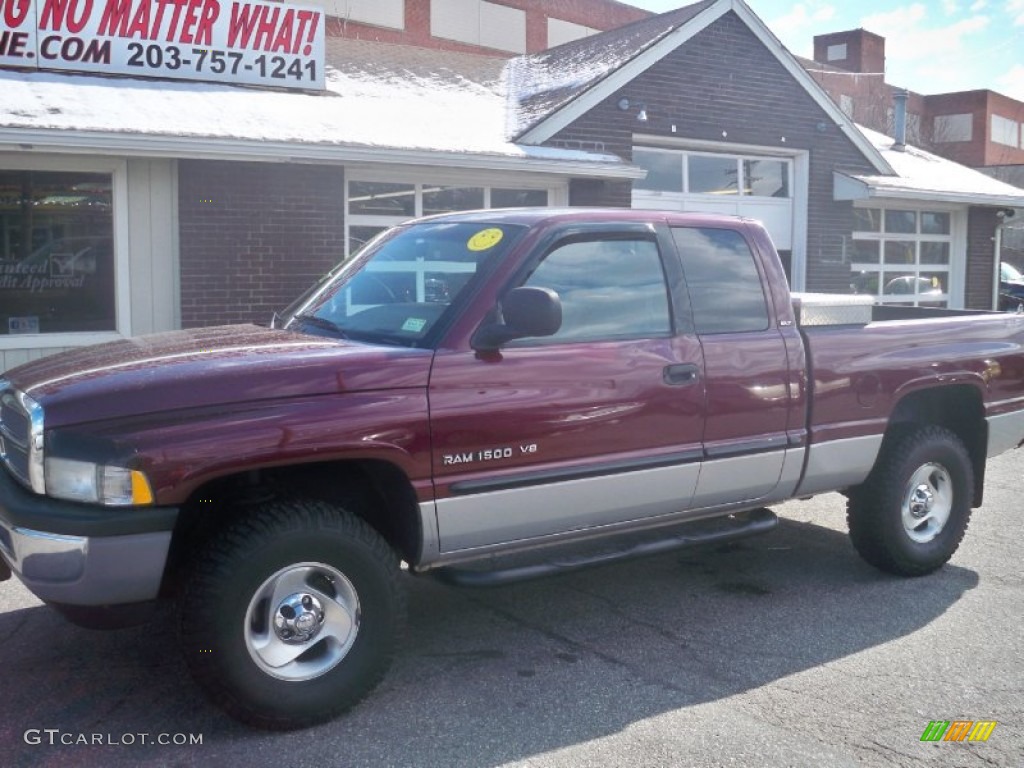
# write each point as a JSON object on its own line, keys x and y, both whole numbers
{"x": 598, "y": 425}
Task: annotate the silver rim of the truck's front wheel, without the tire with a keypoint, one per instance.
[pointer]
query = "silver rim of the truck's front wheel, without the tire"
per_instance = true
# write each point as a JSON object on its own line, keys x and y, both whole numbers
{"x": 303, "y": 622}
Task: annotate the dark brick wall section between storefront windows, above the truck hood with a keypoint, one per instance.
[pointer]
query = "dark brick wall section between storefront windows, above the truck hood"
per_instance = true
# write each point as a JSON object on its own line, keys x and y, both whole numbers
{"x": 253, "y": 237}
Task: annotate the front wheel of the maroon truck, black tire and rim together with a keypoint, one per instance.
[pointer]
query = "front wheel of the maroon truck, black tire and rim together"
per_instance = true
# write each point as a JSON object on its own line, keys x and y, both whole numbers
{"x": 333, "y": 585}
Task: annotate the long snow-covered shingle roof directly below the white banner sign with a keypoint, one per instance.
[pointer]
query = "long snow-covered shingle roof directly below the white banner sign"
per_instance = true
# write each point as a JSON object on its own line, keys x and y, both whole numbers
{"x": 378, "y": 96}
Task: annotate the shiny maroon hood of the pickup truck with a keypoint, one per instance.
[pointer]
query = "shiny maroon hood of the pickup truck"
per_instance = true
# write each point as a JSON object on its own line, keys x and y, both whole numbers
{"x": 207, "y": 368}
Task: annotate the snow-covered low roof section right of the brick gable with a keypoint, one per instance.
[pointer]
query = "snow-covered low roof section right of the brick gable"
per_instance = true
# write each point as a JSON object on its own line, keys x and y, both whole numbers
{"x": 926, "y": 177}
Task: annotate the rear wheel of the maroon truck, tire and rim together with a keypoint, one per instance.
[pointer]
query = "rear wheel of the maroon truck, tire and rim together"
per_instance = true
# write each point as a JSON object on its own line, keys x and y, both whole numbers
{"x": 911, "y": 515}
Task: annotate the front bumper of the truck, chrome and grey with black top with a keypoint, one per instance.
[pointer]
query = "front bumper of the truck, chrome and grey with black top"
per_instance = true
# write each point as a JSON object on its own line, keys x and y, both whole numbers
{"x": 81, "y": 554}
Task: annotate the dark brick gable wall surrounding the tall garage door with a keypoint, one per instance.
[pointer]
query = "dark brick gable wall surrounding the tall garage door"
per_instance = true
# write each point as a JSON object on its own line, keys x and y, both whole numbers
{"x": 724, "y": 87}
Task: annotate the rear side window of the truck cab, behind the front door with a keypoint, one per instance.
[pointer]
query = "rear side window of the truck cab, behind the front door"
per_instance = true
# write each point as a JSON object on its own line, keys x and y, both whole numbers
{"x": 723, "y": 280}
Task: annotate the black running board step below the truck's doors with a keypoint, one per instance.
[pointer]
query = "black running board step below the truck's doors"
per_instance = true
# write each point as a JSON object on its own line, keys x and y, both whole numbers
{"x": 714, "y": 531}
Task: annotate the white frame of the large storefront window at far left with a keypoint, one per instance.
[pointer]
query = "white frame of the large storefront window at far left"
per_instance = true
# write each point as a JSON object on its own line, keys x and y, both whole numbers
{"x": 118, "y": 170}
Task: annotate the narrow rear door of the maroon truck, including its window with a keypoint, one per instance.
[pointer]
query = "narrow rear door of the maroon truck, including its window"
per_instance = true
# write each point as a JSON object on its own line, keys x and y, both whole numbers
{"x": 746, "y": 369}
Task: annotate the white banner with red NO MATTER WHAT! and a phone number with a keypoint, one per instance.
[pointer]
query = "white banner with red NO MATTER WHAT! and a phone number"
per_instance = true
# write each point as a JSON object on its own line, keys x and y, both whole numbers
{"x": 235, "y": 41}
